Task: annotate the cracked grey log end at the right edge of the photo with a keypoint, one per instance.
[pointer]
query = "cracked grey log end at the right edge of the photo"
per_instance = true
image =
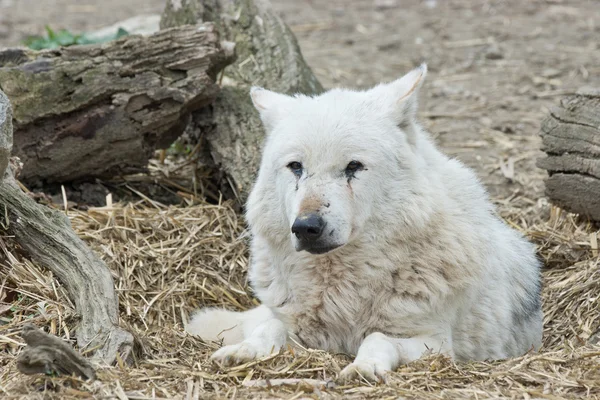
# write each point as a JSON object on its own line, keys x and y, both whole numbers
{"x": 571, "y": 140}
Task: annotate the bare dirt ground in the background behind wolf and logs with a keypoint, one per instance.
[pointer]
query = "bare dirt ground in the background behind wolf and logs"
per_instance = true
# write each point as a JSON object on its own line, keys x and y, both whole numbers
{"x": 495, "y": 66}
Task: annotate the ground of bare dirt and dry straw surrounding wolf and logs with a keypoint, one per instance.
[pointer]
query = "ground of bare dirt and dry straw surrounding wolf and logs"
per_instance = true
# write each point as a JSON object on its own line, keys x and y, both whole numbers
{"x": 495, "y": 68}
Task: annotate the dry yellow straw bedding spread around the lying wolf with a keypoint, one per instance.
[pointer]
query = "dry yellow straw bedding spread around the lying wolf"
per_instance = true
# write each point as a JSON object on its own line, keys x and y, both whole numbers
{"x": 167, "y": 261}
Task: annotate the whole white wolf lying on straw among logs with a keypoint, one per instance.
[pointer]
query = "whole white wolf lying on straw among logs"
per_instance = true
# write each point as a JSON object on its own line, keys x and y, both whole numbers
{"x": 368, "y": 240}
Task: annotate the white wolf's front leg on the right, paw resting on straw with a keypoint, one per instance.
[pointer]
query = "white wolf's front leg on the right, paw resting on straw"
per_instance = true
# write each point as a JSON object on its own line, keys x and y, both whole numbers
{"x": 379, "y": 354}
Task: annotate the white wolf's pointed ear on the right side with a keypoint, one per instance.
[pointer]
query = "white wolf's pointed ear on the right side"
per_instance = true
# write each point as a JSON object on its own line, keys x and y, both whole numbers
{"x": 405, "y": 95}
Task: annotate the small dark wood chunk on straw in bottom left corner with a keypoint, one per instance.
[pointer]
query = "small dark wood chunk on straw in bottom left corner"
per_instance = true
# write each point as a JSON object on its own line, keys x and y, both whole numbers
{"x": 47, "y": 354}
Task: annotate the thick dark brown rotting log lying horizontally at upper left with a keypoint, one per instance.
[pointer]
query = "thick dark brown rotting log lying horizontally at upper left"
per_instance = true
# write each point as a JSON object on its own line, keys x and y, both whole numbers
{"x": 102, "y": 110}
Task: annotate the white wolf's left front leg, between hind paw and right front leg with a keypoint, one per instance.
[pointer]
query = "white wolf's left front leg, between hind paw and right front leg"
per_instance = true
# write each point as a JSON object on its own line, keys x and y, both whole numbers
{"x": 262, "y": 334}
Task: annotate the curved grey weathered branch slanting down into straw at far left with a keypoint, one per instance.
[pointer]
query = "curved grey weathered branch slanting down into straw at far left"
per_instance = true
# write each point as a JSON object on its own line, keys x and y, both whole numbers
{"x": 47, "y": 237}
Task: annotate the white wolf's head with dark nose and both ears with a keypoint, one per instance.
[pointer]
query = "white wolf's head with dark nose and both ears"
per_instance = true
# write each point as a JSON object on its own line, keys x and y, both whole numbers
{"x": 334, "y": 163}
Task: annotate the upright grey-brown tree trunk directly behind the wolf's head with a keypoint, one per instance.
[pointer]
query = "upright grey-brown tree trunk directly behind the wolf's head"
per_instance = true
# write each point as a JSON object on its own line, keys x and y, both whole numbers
{"x": 268, "y": 55}
